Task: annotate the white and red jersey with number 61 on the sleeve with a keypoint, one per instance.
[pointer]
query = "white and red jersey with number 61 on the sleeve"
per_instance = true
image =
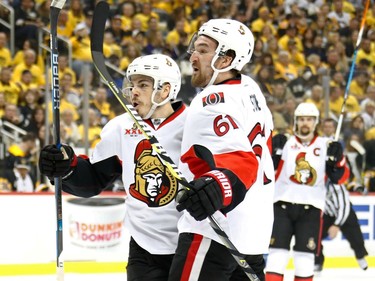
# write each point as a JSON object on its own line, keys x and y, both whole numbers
{"x": 233, "y": 121}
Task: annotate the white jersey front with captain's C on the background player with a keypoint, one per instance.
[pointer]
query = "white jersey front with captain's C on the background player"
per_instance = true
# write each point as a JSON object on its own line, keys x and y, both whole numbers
{"x": 300, "y": 177}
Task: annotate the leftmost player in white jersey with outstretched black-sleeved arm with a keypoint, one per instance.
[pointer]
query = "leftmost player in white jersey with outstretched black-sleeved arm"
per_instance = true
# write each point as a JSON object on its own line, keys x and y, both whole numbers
{"x": 152, "y": 82}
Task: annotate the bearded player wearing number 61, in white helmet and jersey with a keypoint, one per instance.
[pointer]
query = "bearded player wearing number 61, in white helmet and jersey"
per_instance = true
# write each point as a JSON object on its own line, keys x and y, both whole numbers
{"x": 226, "y": 155}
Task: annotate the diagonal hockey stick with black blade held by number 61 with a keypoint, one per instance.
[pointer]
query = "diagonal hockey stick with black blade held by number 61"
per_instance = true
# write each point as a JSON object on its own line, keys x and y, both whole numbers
{"x": 101, "y": 13}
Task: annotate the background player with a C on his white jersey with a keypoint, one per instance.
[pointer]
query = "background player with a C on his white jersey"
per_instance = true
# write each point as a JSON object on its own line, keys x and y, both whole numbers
{"x": 302, "y": 164}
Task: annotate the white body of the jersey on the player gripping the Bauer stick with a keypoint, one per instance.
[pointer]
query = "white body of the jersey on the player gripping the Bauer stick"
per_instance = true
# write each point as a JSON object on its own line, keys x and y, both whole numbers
{"x": 151, "y": 215}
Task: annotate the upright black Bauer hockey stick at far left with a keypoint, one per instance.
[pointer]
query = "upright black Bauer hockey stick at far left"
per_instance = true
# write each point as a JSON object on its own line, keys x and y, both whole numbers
{"x": 55, "y": 8}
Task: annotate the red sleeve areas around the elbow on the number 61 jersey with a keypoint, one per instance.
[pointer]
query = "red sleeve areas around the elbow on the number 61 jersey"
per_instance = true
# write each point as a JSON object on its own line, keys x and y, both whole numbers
{"x": 243, "y": 164}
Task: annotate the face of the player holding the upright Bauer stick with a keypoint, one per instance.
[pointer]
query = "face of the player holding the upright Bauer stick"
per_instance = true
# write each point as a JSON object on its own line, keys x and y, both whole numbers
{"x": 139, "y": 93}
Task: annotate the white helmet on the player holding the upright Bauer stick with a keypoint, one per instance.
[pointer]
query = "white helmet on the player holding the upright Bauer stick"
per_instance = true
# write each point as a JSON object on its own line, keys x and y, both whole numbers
{"x": 162, "y": 69}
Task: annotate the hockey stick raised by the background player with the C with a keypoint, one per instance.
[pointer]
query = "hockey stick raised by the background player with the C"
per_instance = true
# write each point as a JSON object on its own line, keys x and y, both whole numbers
{"x": 351, "y": 72}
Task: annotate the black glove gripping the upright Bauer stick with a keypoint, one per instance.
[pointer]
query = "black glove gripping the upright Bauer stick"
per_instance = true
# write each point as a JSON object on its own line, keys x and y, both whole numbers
{"x": 54, "y": 162}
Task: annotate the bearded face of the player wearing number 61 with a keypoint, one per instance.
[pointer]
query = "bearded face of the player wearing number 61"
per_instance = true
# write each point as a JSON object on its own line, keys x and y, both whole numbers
{"x": 201, "y": 57}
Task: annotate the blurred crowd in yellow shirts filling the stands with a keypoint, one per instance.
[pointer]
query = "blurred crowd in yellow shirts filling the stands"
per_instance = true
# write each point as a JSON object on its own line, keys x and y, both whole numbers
{"x": 298, "y": 45}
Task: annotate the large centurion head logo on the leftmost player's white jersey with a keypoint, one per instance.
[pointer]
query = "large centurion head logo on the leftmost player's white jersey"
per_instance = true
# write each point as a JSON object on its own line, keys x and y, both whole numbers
{"x": 153, "y": 182}
